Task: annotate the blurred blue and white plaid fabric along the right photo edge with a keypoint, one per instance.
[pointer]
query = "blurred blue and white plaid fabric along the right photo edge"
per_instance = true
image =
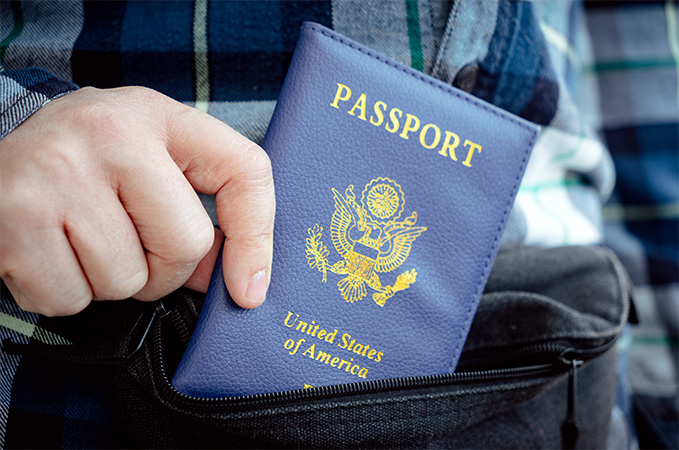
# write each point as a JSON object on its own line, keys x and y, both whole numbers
{"x": 635, "y": 50}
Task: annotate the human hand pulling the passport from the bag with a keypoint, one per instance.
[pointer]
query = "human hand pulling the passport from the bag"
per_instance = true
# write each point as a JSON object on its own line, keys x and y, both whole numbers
{"x": 97, "y": 201}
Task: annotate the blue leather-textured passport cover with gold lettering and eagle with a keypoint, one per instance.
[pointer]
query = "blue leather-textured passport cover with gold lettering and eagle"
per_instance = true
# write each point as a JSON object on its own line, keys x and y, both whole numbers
{"x": 393, "y": 190}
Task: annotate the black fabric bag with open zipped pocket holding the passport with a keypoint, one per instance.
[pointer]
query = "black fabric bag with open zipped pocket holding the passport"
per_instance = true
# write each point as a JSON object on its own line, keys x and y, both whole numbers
{"x": 538, "y": 371}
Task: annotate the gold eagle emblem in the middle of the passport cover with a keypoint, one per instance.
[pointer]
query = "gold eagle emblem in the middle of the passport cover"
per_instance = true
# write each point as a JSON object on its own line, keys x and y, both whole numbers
{"x": 371, "y": 239}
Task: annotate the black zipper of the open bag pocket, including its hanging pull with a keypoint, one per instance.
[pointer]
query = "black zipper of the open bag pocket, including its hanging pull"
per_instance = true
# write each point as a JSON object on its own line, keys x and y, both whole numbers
{"x": 558, "y": 357}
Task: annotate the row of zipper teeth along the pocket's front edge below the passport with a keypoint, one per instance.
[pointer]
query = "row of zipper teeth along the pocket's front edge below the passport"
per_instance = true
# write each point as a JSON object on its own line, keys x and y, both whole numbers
{"x": 347, "y": 389}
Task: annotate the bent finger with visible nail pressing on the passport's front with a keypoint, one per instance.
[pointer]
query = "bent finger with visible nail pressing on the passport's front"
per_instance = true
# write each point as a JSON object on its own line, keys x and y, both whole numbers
{"x": 217, "y": 160}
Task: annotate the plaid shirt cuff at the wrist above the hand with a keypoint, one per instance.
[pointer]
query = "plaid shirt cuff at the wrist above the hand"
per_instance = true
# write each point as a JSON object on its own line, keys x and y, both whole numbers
{"x": 24, "y": 91}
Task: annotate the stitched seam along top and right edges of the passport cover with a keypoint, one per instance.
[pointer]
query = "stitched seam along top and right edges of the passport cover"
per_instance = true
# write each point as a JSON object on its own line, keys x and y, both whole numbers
{"x": 471, "y": 100}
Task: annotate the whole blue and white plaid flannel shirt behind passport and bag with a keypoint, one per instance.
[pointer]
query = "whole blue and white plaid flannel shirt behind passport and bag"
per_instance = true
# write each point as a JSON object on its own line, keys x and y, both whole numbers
{"x": 602, "y": 74}
